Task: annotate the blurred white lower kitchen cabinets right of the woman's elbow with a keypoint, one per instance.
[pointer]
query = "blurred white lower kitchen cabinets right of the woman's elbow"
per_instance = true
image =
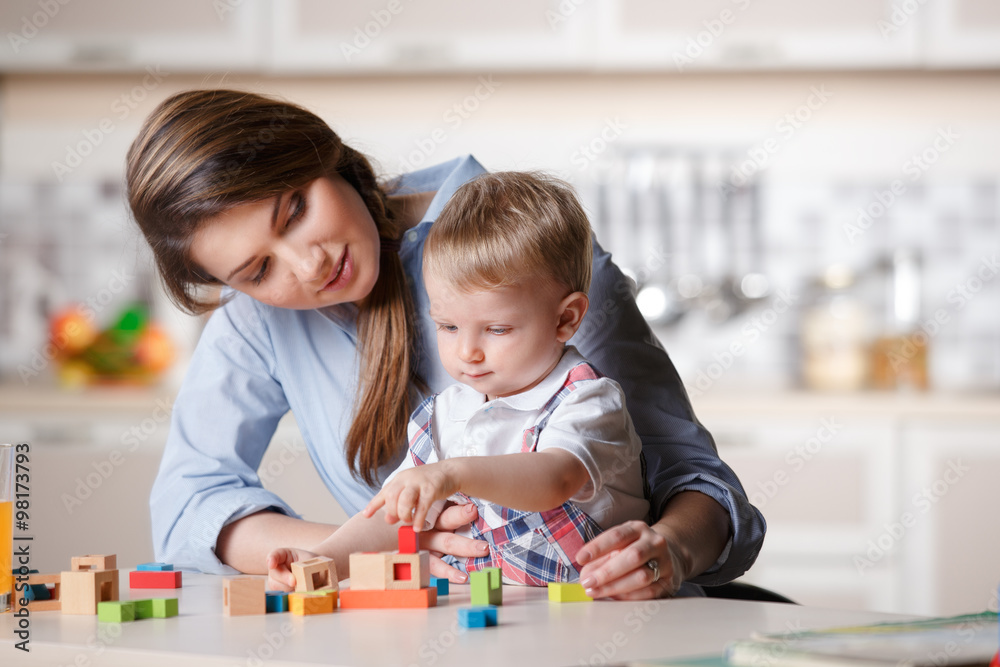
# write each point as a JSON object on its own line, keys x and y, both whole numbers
{"x": 893, "y": 512}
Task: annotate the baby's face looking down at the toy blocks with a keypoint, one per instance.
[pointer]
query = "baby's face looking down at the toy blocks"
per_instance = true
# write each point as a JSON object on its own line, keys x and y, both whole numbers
{"x": 501, "y": 341}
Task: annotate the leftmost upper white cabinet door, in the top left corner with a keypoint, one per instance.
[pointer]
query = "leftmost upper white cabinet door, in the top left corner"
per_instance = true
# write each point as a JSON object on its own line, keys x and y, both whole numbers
{"x": 122, "y": 35}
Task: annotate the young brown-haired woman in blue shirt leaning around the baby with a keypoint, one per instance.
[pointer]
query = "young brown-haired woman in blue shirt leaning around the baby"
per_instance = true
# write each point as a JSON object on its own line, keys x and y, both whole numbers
{"x": 321, "y": 269}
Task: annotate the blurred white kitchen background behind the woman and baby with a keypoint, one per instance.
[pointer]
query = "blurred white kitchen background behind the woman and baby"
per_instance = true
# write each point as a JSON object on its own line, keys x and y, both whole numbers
{"x": 806, "y": 194}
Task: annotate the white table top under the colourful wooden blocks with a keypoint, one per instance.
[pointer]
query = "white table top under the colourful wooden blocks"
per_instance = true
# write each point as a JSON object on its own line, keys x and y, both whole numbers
{"x": 531, "y": 632}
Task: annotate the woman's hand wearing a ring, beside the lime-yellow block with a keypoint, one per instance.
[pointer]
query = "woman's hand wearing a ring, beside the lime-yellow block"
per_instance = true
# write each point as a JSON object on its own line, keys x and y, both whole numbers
{"x": 615, "y": 563}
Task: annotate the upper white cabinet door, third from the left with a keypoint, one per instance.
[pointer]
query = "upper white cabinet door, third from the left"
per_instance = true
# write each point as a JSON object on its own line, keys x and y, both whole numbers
{"x": 673, "y": 35}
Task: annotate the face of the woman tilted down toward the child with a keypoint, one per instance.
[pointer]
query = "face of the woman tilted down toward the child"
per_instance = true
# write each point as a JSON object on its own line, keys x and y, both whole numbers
{"x": 307, "y": 248}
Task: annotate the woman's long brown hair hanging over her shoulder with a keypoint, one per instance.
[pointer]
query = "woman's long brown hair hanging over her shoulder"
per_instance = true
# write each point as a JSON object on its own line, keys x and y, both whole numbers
{"x": 203, "y": 152}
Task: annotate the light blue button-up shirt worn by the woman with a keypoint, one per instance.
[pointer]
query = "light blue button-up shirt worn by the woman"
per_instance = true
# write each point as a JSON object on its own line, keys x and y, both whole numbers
{"x": 255, "y": 362}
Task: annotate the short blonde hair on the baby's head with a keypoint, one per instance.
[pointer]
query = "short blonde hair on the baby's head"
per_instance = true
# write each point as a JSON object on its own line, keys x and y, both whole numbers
{"x": 509, "y": 228}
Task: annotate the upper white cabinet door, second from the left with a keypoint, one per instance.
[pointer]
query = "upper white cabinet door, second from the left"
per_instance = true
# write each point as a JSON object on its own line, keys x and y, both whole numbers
{"x": 431, "y": 35}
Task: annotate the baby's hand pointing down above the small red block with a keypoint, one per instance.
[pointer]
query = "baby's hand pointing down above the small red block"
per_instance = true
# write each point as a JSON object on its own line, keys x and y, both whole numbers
{"x": 408, "y": 496}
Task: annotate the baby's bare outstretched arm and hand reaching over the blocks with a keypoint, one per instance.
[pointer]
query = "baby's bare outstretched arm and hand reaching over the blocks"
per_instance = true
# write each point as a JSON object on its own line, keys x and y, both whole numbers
{"x": 530, "y": 482}
